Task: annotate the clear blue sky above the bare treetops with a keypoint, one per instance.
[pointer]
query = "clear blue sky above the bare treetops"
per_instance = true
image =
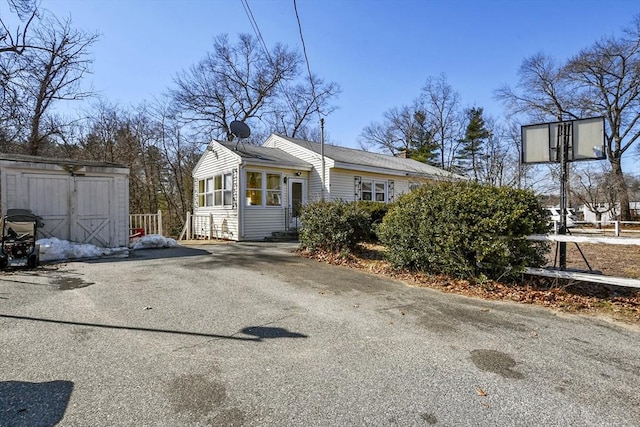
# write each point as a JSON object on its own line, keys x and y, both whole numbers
{"x": 379, "y": 51}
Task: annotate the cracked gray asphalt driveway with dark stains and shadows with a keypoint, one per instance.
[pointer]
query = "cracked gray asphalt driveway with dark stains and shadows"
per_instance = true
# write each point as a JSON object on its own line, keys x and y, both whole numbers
{"x": 251, "y": 334}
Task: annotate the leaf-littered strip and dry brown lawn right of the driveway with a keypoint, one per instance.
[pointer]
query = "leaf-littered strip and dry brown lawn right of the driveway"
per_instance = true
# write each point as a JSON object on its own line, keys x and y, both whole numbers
{"x": 614, "y": 302}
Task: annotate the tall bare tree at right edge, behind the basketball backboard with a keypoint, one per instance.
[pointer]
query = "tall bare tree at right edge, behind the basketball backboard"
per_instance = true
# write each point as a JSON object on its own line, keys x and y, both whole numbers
{"x": 601, "y": 80}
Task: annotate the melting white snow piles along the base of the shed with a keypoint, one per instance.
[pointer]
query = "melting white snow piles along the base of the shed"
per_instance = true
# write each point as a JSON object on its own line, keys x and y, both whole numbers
{"x": 54, "y": 249}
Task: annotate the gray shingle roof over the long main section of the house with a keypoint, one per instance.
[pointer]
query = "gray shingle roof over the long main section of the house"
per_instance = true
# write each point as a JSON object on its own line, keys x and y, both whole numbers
{"x": 376, "y": 160}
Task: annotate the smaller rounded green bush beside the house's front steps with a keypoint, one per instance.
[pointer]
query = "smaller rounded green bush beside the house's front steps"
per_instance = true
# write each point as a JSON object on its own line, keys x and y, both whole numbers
{"x": 333, "y": 226}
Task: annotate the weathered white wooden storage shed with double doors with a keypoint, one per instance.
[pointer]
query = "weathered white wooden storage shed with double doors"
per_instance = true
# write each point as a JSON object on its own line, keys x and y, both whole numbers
{"x": 79, "y": 200}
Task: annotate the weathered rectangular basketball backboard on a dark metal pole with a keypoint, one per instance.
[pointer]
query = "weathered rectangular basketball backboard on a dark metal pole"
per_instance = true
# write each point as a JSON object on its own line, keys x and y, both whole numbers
{"x": 540, "y": 142}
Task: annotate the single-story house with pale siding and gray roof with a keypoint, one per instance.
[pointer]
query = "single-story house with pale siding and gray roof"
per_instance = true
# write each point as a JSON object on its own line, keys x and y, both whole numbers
{"x": 248, "y": 192}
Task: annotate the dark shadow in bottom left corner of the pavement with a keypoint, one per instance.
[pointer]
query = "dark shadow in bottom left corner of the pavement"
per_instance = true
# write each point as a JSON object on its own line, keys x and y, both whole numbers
{"x": 33, "y": 404}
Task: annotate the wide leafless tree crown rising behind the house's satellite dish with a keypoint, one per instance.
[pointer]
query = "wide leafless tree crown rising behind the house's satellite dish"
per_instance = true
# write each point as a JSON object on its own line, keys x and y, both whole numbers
{"x": 244, "y": 82}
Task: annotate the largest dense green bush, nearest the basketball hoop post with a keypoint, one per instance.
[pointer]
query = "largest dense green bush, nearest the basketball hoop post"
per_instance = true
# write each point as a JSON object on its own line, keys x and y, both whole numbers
{"x": 465, "y": 230}
